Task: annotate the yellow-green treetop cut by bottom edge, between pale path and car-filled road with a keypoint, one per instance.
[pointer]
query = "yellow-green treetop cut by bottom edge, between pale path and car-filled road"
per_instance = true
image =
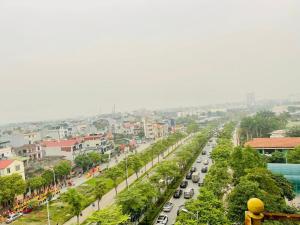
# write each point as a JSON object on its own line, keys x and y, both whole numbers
{"x": 109, "y": 216}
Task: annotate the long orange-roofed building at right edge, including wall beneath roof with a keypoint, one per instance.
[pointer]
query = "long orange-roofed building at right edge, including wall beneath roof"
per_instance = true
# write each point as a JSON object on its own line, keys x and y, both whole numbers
{"x": 269, "y": 145}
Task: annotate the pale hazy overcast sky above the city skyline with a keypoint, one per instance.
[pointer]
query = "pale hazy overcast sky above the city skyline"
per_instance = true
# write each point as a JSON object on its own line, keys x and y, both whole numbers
{"x": 61, "y": 58}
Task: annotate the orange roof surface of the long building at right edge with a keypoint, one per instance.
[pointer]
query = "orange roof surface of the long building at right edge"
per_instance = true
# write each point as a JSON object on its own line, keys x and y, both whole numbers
{"x": 286, "y": 142}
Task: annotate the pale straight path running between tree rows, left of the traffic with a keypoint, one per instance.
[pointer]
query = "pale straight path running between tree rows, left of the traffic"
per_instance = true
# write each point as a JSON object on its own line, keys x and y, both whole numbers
{"x": 109, "y": 198}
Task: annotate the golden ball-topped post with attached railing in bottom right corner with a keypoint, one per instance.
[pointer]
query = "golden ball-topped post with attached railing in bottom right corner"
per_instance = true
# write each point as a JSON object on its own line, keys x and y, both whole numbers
{"x": 256, "y": 213}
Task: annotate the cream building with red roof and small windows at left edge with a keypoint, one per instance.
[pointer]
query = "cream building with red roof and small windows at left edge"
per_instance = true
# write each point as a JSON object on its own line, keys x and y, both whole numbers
{"x": 11, "y": 166}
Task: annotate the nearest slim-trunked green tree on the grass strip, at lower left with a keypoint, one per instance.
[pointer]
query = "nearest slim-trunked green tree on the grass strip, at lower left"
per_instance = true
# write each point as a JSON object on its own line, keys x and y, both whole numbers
{"x": 74, "y": 199}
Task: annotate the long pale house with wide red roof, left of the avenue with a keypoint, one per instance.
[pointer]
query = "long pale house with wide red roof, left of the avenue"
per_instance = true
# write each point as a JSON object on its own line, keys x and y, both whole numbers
{"x": 66, "y": 148}
